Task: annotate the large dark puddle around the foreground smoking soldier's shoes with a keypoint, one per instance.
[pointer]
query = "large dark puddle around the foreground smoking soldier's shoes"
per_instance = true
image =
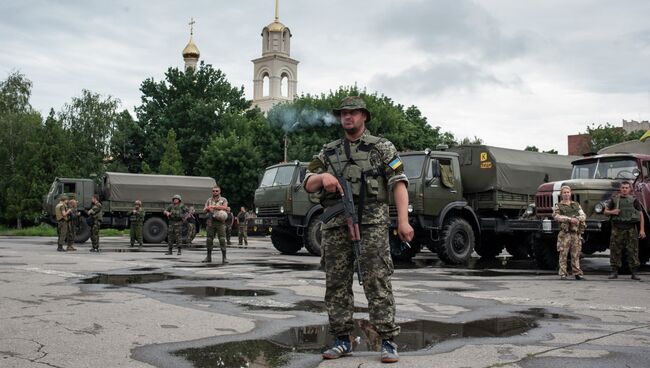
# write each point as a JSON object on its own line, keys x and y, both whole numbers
{"x": 415, "y": 335}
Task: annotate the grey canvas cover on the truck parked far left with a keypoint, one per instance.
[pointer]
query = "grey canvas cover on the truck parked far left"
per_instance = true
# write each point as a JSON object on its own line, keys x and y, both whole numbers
{"x": 156, "y": 188}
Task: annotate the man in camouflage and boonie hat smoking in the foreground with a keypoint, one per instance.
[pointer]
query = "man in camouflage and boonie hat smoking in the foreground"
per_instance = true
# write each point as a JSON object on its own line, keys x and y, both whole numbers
{"x": 373, "y": 168}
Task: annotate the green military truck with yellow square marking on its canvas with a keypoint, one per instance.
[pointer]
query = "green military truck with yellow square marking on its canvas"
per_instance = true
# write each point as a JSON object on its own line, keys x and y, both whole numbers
{"x": 475, "y": 198}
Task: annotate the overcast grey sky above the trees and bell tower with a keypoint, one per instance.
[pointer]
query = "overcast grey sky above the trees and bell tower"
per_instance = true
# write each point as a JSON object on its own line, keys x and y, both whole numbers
{"x": 512, "y": 72}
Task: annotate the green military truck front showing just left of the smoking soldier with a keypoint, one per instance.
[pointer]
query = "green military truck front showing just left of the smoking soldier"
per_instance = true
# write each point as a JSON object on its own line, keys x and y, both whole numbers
{"x": 283, "y": 205}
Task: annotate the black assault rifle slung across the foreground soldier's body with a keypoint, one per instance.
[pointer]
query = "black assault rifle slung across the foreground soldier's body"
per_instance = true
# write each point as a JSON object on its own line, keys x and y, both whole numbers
{"x": 346, "y": 206}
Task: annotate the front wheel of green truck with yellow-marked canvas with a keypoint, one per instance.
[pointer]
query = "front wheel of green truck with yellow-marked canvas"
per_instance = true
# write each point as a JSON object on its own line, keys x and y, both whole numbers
{"x": 457, "y": 242}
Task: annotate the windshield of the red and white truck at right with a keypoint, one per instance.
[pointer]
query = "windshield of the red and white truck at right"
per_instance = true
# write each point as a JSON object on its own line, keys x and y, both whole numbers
{"x": 617, "y": 168}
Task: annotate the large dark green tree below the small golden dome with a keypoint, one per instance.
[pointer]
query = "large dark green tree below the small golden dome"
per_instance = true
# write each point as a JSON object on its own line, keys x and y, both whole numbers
{"x": 194, "y": 104}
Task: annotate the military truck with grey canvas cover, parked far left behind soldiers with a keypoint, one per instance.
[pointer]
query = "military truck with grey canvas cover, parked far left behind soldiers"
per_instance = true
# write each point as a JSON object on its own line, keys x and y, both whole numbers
{"x": 118, "y": 191}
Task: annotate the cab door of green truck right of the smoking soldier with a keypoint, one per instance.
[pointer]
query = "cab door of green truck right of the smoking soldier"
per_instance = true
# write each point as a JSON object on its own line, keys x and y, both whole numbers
{"x": 441, "y": 184}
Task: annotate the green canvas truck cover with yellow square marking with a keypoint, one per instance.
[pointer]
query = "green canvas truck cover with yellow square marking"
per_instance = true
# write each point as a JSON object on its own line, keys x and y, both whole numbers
{"x": 485, "y": 168}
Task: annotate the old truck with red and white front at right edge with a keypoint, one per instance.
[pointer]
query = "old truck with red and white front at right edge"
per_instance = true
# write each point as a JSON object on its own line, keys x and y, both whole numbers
{"x": 594, "y": 180}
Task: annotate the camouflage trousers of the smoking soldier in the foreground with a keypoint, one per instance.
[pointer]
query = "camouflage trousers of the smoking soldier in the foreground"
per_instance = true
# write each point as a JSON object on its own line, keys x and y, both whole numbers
{"x": 377, "y": 267}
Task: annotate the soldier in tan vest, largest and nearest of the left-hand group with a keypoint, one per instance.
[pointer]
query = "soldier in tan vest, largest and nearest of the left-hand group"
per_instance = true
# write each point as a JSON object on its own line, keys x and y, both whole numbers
{"x": 216, "y": 207}
